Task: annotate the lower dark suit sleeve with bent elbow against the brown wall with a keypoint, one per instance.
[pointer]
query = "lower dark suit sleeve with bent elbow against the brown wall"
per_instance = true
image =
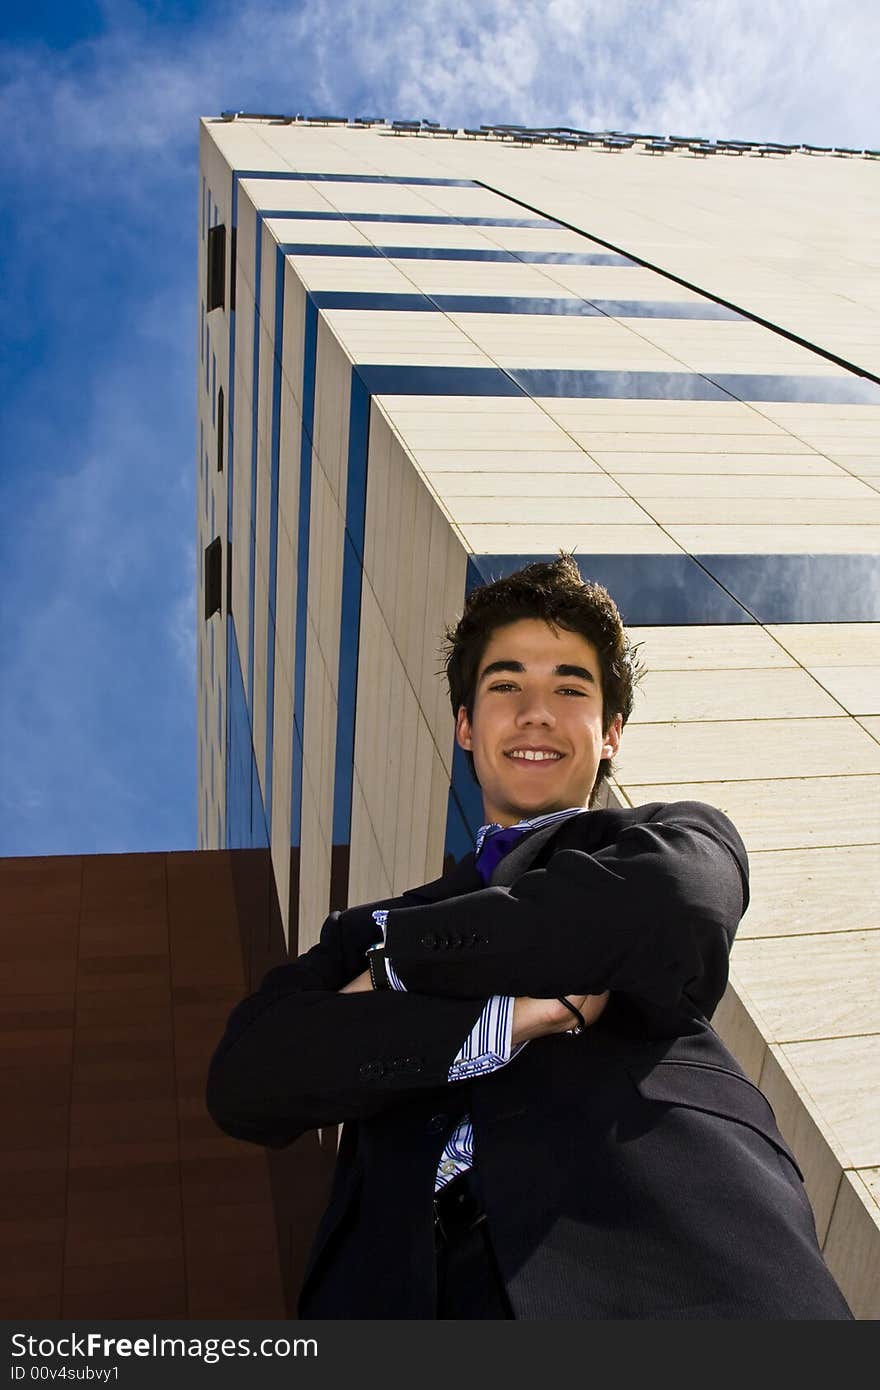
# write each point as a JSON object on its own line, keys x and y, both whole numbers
{"x": 297, "y": 1054}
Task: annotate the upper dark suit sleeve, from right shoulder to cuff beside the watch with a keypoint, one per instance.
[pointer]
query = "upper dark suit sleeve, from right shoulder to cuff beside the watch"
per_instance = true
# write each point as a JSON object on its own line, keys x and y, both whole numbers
{"x": 651, "y": 915}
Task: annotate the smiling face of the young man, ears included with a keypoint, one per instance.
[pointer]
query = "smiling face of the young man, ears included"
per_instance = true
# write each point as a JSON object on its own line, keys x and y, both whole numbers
{"x": 536, "y": 733}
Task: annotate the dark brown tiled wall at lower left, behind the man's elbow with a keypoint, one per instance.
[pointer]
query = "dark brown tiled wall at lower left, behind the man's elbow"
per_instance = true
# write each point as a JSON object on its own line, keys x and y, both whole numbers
{"x": 119, "y": 1196}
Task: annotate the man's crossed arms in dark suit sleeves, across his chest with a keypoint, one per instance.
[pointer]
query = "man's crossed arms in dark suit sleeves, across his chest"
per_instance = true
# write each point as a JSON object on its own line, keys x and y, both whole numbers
{"x": 651, "y": 915}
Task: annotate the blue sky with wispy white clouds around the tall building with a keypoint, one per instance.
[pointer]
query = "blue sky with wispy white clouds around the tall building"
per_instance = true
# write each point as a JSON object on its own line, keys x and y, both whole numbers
{"x": 99, "y": 106}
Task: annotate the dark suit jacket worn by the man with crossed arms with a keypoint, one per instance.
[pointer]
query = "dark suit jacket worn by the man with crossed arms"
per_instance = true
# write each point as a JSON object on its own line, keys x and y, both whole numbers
{"x": 629, "y": 1172}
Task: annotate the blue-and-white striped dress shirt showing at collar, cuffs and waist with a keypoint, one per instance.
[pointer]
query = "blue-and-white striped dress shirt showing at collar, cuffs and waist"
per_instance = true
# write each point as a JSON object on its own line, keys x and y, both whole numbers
{"x": 487, "y": 1047}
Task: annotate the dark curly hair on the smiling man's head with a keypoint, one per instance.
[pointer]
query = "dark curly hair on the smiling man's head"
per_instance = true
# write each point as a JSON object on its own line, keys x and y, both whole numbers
{"x": 554, "y": 591}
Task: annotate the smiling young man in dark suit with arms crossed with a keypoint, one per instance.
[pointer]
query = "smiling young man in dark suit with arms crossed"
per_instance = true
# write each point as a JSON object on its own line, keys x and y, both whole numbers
{"x": 540, "y": 1121}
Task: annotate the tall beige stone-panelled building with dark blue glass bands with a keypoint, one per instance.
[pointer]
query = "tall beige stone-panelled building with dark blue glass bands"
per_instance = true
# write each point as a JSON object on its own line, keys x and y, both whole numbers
{"x": 426, "y": 357}
